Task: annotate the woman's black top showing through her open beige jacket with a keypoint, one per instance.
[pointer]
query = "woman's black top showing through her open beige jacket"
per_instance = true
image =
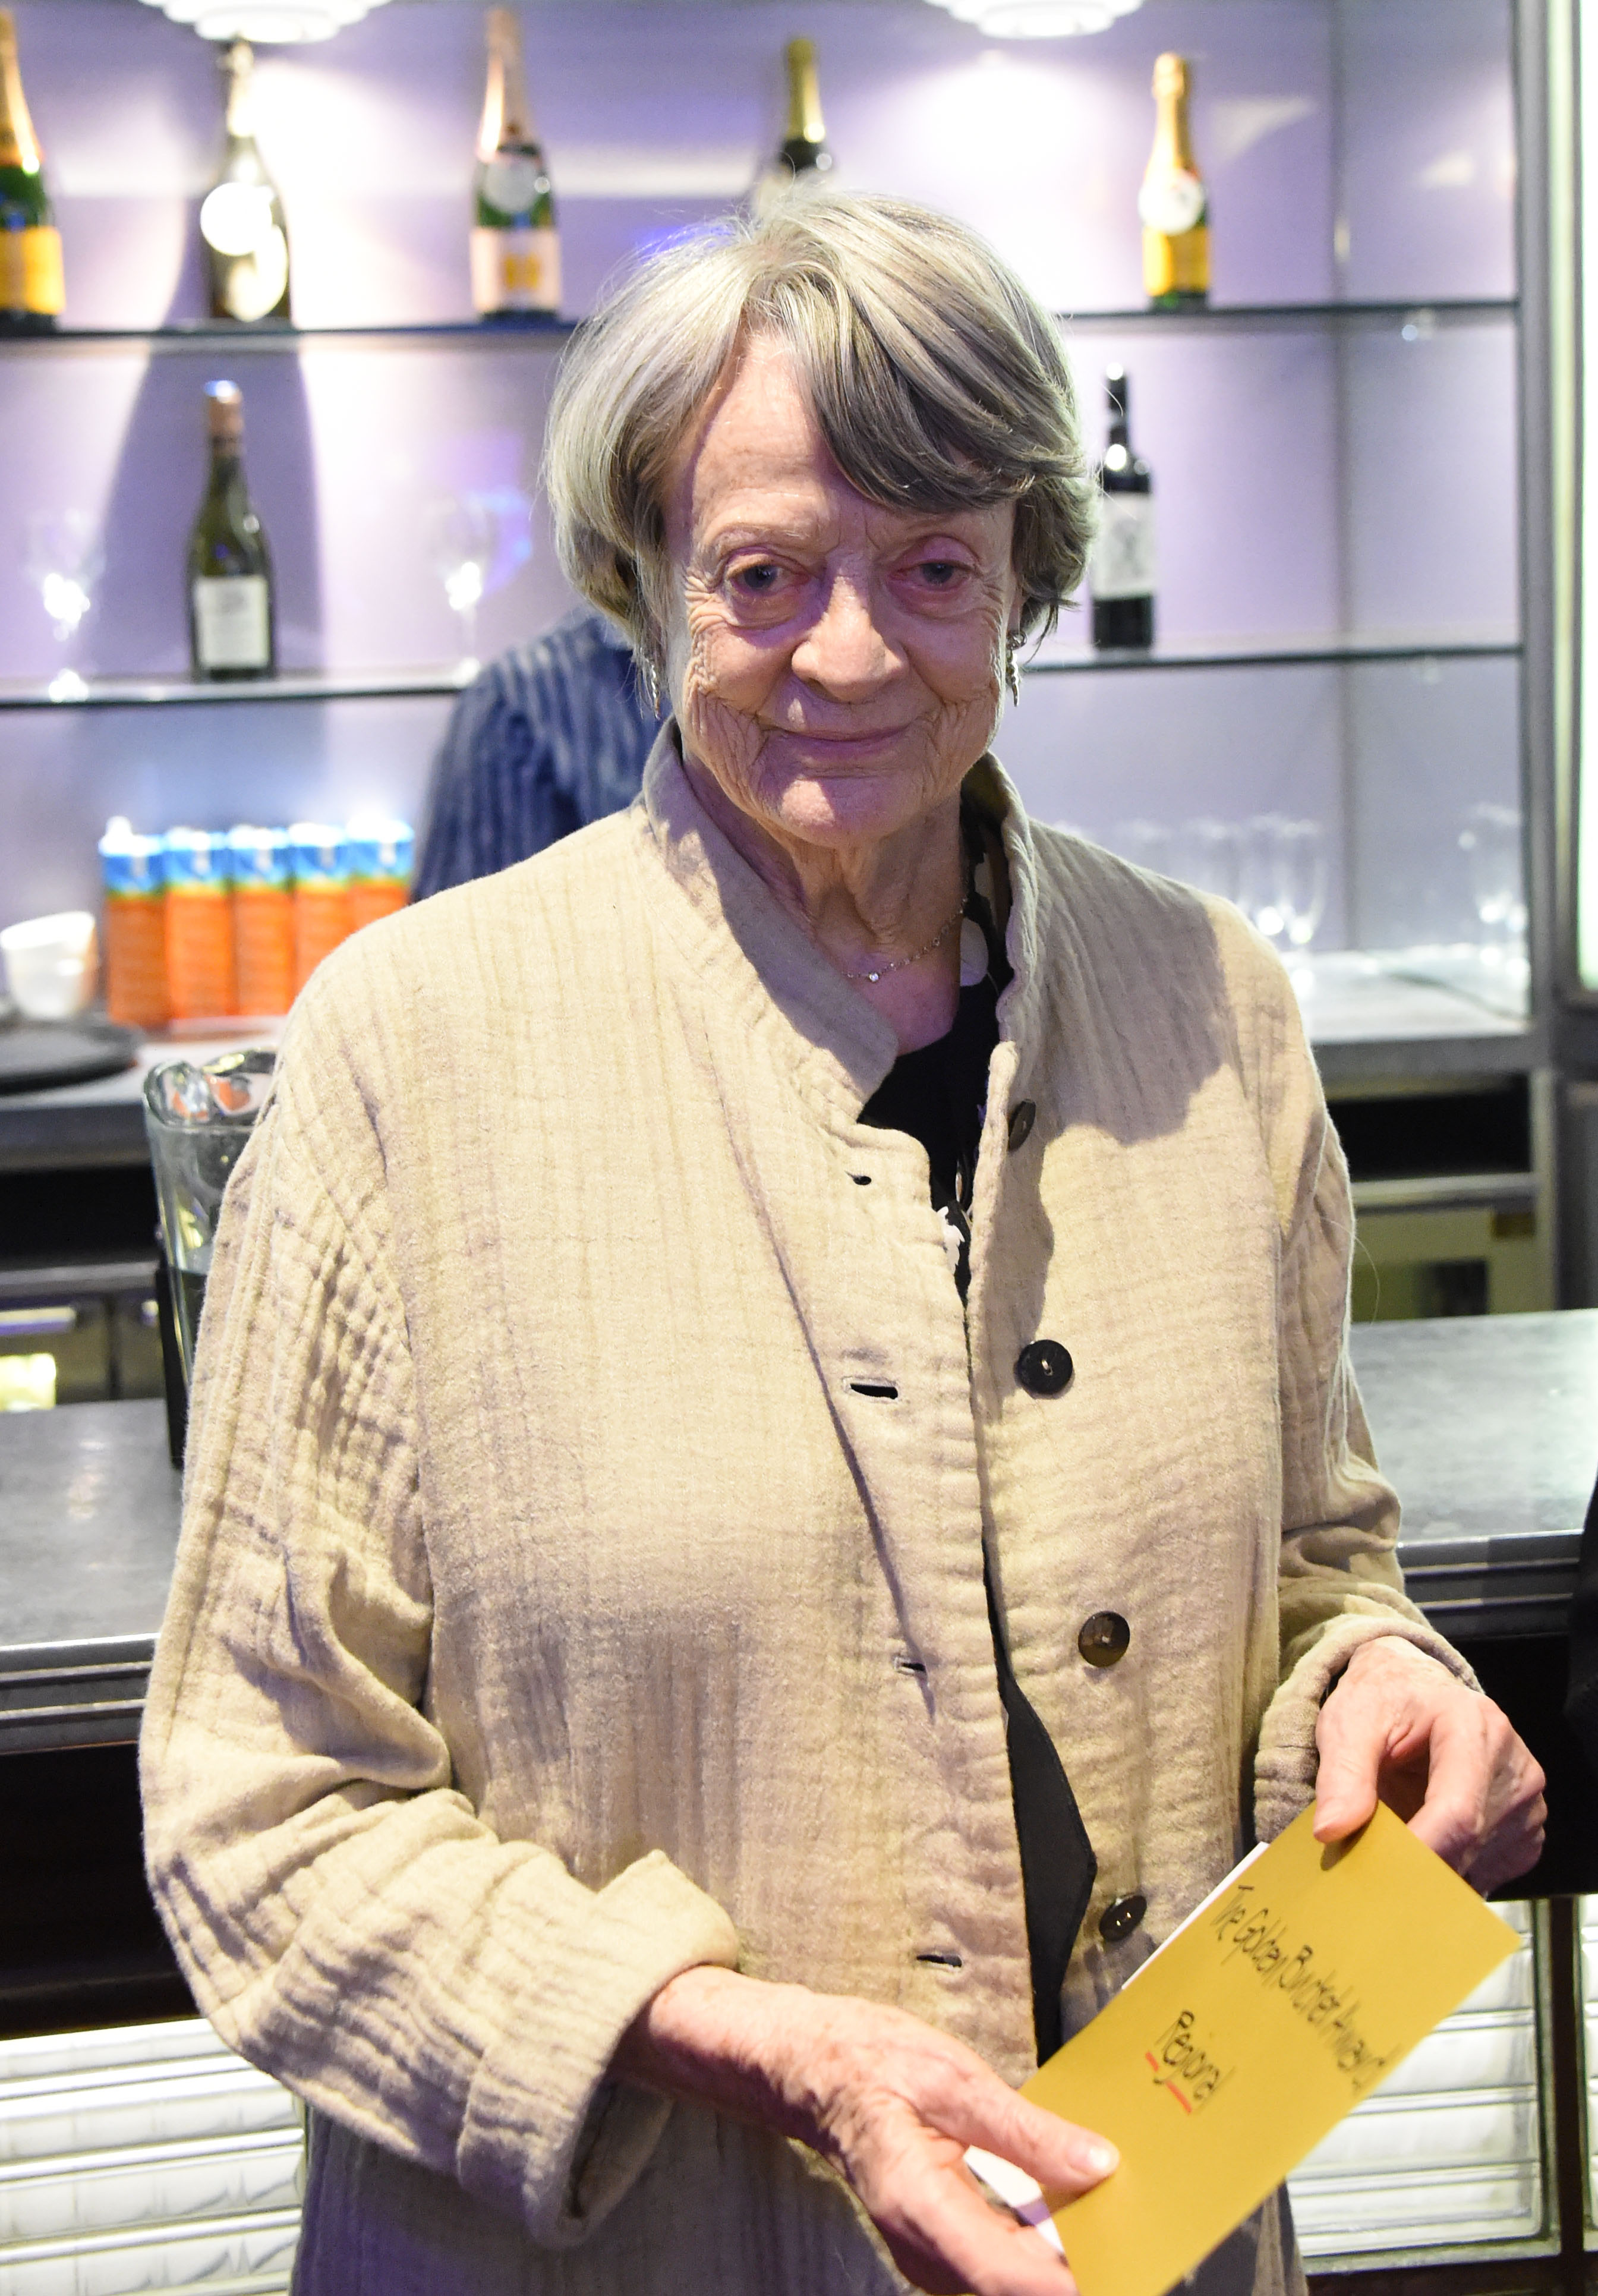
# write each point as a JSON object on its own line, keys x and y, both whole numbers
{"x": 940, "y": 1096}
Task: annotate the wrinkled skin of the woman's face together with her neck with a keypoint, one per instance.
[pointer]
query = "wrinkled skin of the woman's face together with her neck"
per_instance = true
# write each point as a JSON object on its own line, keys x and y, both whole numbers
{"x": 837, "y": 669}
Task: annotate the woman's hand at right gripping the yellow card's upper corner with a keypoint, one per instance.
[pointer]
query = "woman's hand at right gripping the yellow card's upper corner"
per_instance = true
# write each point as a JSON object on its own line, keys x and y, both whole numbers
{"x": 1404, "y": 1730}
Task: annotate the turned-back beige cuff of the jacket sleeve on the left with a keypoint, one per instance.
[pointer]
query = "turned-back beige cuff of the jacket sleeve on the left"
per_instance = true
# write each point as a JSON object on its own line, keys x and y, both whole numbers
{"x": 548, "y": 2136}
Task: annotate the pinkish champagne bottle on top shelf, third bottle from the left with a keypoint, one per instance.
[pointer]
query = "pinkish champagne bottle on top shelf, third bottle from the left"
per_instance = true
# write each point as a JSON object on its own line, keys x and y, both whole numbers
{"x": 515, "y": 247}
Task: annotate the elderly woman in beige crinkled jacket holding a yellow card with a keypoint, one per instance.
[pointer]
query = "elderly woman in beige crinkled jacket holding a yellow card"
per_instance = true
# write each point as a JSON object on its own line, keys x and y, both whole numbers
{"x": 775, "y": 1484}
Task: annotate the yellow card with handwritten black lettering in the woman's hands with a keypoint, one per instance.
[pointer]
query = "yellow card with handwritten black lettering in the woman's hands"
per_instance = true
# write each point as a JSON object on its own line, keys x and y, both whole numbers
{"x": 1273, "y": 2010}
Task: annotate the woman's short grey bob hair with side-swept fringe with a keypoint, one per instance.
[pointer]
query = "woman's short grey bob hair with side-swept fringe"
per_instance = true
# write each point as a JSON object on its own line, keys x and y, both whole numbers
{"x": 936, "y": 378}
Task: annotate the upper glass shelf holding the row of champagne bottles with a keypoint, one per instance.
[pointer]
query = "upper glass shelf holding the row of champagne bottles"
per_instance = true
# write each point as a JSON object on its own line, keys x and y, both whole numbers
{"x": 554, "y": 334}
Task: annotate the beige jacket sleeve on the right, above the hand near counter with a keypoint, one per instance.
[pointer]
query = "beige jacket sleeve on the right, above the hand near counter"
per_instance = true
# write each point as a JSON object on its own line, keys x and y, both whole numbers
{"x": 1340, "y": 1578}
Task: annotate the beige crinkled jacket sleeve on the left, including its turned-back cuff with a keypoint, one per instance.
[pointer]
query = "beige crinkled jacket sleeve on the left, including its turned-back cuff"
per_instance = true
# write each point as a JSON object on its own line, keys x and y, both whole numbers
{"x": 341, "y": 1911}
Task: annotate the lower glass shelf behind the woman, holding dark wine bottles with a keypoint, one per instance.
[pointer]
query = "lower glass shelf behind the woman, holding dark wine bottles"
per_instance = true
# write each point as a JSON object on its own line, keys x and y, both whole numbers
{"x": 440, "y": 681}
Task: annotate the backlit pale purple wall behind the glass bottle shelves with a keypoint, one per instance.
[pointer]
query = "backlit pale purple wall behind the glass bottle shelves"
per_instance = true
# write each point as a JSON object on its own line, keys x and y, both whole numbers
{"x": 1310, "y": 479}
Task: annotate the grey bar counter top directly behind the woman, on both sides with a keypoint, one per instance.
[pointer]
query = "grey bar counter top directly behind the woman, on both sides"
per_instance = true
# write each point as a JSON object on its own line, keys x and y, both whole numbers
{"x": 1489, "y": 1427}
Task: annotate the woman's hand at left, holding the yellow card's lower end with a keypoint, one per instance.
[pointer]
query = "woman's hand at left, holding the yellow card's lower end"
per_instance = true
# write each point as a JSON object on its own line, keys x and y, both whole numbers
{"x": 890, "y": 2102}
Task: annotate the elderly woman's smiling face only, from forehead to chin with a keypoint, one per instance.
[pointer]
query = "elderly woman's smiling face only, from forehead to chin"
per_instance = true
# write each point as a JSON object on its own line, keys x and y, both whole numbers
{"x": 837, "y": 667}
